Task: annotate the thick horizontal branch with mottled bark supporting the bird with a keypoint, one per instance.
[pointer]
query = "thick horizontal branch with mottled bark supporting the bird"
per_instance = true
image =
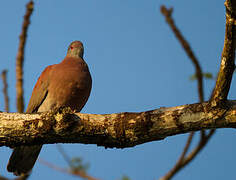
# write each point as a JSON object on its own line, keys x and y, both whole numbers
{"x": 113, "y": 130}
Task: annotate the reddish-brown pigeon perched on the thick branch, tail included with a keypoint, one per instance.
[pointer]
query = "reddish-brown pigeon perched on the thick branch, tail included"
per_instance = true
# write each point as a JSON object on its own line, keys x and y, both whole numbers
{"x": 67, "y": 84}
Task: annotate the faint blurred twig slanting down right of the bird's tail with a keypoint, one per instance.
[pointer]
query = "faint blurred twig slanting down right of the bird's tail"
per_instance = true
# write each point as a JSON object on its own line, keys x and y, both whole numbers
{"x": 81, "y": 174}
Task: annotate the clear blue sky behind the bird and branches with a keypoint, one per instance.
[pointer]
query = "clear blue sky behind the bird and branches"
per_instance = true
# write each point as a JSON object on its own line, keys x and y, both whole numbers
{"x": 136, "y": 64}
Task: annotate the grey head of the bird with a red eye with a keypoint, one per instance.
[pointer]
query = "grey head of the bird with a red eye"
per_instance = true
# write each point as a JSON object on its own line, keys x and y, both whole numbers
{"x": 76, "y": 49}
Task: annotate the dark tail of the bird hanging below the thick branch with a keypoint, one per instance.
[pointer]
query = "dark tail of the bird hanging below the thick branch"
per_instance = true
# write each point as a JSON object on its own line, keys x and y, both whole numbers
{"x": 23, "y": 159}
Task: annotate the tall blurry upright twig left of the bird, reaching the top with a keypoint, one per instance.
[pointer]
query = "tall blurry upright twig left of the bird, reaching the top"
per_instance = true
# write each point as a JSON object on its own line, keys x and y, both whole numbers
{"x": 20, "y": 58}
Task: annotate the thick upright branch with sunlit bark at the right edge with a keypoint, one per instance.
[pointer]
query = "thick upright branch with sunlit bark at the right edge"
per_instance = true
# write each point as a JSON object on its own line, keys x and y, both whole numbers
{"x": 227, "y": 66}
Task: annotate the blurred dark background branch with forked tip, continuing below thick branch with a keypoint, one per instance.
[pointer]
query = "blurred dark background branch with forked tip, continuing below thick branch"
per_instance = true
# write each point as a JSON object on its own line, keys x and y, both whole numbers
{"x": 184, "y": 160}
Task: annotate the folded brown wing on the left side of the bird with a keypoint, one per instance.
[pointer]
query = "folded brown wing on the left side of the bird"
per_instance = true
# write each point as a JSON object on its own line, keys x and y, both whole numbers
{"x": 40, "y": 90}
